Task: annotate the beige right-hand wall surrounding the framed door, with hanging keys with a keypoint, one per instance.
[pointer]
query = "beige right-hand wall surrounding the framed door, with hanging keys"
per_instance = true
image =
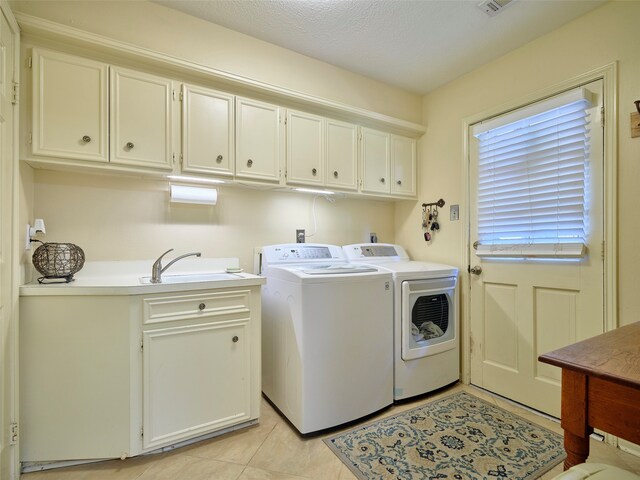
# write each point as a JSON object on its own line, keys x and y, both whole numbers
{"x": 608, "y": 34}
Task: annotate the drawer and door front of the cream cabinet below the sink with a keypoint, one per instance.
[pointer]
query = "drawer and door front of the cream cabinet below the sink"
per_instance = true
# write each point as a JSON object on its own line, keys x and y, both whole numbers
{"x": 196, "y": 365}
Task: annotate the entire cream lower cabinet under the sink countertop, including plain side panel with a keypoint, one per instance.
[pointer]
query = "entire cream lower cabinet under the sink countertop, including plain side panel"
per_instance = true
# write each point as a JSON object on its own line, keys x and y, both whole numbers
{"x": 120, "y": 375}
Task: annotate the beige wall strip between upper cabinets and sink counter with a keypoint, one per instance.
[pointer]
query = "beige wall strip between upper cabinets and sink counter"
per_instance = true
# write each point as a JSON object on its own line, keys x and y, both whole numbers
{"x": 119, "y": 218}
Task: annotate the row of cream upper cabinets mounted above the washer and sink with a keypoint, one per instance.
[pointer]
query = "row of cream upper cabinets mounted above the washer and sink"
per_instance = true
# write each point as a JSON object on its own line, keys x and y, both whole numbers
{"x": 90, "y": 115}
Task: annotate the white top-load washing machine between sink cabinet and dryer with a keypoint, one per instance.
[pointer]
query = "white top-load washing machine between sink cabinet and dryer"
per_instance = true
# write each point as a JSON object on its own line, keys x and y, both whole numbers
{"x": 327, "y": 335}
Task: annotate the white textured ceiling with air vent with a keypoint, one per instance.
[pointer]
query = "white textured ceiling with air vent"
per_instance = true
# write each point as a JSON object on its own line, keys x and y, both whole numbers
{"x": 416, "y": 45}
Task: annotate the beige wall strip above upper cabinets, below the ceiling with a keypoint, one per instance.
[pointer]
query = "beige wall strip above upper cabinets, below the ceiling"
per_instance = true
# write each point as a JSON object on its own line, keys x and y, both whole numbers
{"x": 160, "y": 29}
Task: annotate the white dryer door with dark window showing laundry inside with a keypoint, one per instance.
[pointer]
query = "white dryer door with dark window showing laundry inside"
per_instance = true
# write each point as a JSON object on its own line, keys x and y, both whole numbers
{"x": 429, "y": 317}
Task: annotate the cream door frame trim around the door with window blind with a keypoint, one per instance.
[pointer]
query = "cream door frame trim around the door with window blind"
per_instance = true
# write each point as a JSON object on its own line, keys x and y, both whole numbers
{"x": 609, "y": 75}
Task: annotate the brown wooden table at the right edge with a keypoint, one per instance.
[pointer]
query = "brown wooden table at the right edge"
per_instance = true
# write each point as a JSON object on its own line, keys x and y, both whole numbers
{"x": 600, "y": 389}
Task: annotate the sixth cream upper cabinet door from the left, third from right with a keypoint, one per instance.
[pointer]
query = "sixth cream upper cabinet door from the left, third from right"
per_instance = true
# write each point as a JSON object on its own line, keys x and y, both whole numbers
{"x": 342, "y": 154}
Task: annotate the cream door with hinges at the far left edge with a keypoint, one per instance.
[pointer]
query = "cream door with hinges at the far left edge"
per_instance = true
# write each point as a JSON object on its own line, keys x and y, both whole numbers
{"x": 9, "y": 39}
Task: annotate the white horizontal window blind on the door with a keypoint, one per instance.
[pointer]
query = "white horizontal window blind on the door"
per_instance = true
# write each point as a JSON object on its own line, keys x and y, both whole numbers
{"x": 532, "y": 179}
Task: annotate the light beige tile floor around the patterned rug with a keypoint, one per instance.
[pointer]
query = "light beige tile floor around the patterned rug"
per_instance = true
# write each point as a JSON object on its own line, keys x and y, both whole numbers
{"x": 272, "y": 450}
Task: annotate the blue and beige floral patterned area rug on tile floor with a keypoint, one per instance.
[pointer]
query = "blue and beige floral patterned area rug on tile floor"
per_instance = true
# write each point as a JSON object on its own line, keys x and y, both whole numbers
{"x": 460, "y": 437}
